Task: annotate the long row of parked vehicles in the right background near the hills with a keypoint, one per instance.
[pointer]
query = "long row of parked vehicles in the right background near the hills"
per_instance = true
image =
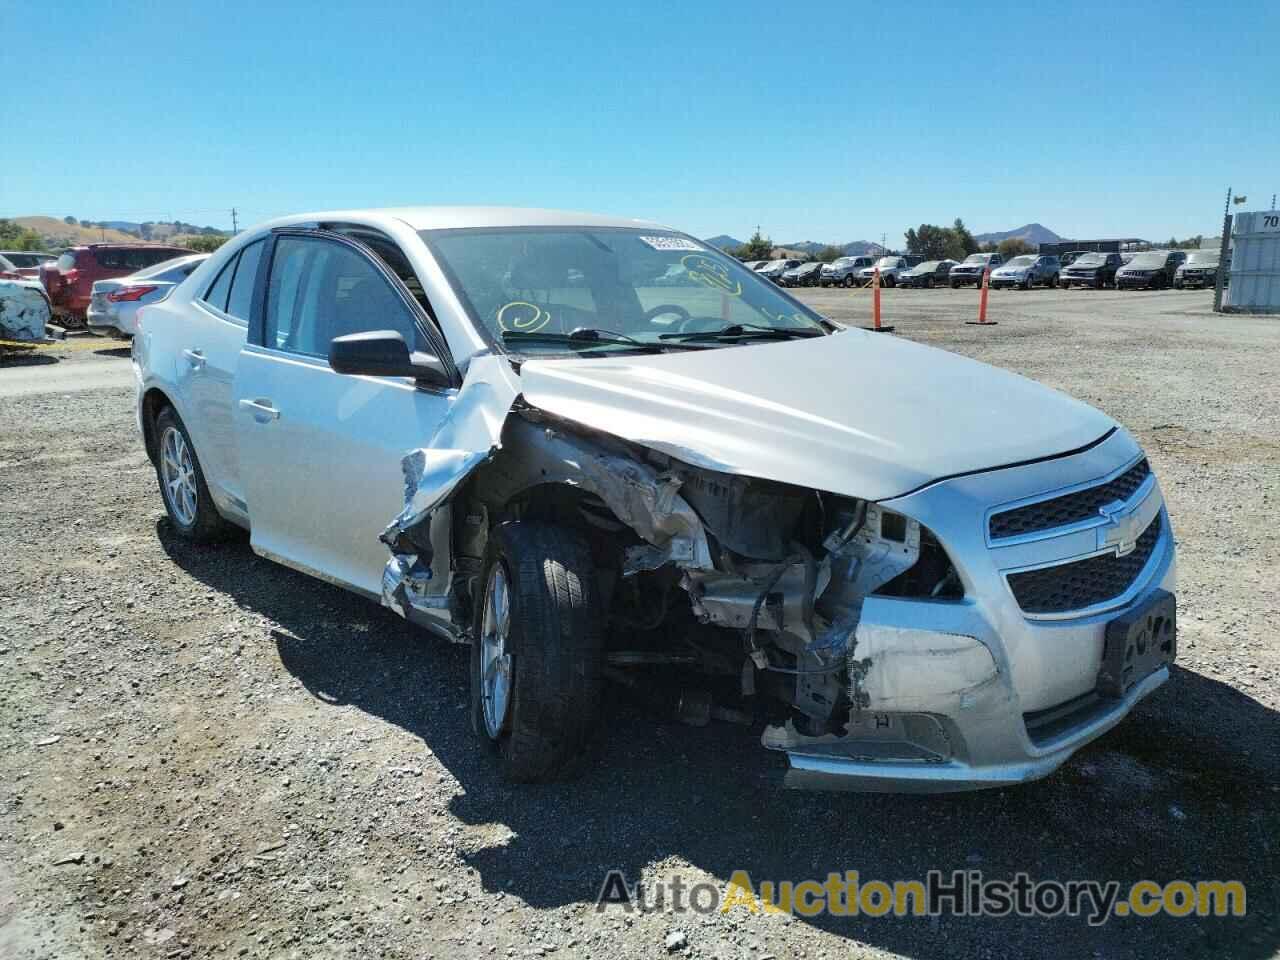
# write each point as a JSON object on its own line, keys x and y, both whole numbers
{"x": 1154, "y": 269}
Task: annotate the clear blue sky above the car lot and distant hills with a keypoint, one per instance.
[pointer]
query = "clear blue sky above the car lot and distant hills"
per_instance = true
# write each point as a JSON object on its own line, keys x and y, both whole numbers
{"x": 830, "y": 122}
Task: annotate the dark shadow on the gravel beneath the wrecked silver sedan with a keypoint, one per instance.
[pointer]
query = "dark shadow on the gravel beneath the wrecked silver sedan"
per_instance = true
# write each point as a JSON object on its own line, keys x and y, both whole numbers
{"x": 1185, "y": 789}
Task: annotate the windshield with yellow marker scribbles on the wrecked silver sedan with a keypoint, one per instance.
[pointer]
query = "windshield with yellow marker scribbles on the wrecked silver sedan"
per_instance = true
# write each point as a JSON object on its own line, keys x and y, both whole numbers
{"x": 556, "y": 281}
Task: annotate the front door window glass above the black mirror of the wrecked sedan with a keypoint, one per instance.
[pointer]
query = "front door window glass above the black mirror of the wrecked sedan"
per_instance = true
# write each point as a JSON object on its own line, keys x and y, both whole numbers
{"x": 321, "y": 290}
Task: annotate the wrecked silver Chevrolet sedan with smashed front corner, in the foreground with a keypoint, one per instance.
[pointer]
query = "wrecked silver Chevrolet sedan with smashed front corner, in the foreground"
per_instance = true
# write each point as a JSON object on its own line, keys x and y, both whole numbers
{"x": 913, "y": 570}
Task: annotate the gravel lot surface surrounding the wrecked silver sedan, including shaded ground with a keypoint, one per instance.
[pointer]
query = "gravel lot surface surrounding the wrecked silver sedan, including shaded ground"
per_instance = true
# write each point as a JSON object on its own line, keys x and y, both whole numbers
{"x": 205, "y": 755}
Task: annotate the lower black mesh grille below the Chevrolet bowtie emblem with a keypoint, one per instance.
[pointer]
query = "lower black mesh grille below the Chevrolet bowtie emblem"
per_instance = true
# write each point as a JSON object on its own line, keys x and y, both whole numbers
{"x": 1082, "y": 584}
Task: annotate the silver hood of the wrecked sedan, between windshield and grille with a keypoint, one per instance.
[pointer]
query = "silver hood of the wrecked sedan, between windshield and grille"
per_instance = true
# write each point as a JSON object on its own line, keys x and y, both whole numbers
{"x": 856, "y": 414}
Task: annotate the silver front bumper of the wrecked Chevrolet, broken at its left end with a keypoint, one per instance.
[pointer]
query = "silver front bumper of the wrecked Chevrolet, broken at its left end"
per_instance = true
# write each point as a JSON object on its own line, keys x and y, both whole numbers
{"x": 962, "y": 696}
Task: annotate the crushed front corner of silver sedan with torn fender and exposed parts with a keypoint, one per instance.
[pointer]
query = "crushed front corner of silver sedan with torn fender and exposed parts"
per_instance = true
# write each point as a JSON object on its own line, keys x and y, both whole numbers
{"x": 756, "y": 593}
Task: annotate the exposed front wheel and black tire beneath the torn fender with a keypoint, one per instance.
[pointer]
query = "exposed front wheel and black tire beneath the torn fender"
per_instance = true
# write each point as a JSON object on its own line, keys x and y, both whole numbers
{"x": 537, "y": 651}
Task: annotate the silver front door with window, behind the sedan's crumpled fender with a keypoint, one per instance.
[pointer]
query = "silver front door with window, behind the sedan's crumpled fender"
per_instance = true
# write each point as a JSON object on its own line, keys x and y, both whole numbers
{"x": 321, "y": 451}
